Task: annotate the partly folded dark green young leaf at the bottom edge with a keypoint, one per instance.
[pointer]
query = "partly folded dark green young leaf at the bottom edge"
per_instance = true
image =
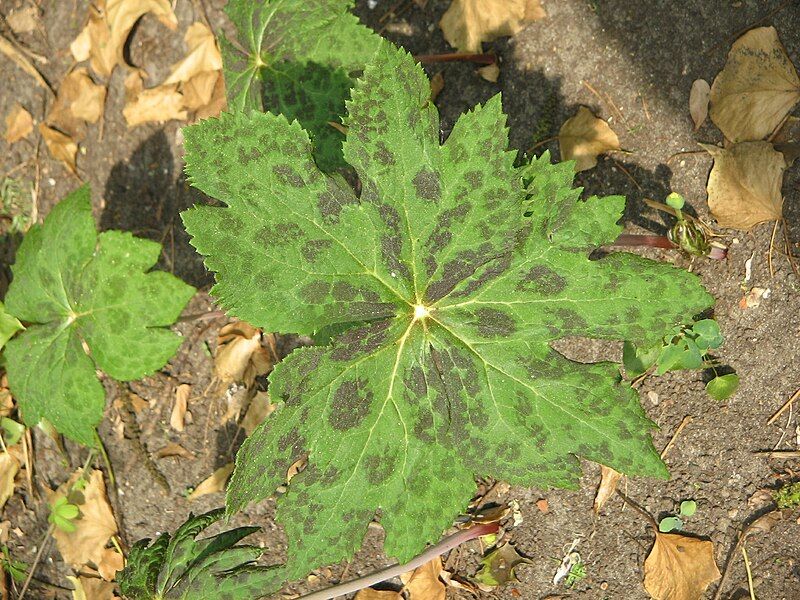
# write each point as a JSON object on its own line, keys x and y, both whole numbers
{"x": 179, "y": 567}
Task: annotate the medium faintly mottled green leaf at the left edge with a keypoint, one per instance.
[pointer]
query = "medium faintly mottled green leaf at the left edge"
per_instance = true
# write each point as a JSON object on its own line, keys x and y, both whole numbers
{"x": 89, "y": 304}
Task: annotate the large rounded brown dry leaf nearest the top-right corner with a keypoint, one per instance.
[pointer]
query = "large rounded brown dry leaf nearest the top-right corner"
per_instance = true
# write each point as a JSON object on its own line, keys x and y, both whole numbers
{"x": 756, "y": 89}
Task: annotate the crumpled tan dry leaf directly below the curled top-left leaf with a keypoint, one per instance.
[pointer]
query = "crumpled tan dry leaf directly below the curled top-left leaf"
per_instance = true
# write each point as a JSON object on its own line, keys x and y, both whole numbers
{"x": 79, "y": 100}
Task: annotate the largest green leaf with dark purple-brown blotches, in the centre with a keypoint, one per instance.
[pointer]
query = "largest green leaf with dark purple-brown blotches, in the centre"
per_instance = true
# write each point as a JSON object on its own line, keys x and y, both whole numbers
{"x": 458, "y": 271}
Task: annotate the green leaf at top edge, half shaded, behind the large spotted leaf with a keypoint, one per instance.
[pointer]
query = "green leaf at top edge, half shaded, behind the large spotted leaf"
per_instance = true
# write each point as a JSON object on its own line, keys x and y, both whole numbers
{"x": 295, "y": 57}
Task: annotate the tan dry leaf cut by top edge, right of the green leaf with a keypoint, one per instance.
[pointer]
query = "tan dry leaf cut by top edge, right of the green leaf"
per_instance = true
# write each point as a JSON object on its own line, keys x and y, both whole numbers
{"x": 469, "y": 23}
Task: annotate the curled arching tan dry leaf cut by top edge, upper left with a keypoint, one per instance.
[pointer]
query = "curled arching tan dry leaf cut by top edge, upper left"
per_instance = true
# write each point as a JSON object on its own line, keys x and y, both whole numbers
{"x": 110, "y": 22}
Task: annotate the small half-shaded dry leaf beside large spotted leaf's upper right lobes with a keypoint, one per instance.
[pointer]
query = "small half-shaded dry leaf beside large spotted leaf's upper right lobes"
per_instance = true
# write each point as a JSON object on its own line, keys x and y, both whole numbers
{"x": 583, "y": 137}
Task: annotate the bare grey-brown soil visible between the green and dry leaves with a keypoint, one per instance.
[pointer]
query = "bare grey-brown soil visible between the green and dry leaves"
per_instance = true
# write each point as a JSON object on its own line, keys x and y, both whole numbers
{"x": 631, "y": 62}
